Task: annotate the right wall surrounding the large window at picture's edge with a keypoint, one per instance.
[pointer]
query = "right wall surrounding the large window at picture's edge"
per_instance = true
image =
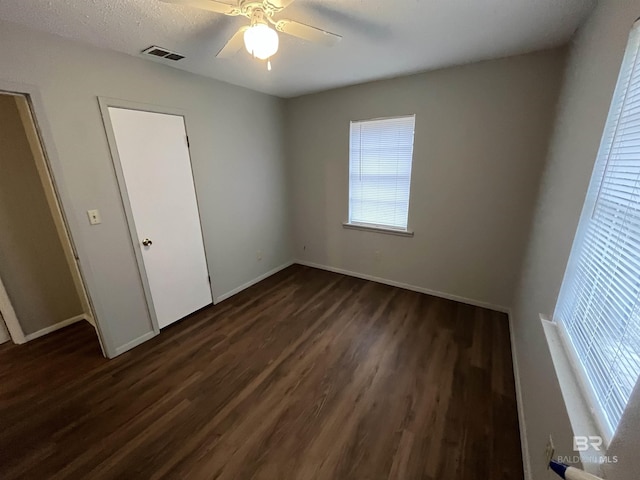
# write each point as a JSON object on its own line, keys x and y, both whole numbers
{"x": 594, "y": 62}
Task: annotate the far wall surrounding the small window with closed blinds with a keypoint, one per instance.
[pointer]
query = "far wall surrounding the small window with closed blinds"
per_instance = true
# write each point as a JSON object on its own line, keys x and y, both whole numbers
{"x": 480, "y": 143}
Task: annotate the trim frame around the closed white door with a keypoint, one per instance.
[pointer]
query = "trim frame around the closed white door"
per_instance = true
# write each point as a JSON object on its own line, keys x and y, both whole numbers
{"x": 105, "y": 103}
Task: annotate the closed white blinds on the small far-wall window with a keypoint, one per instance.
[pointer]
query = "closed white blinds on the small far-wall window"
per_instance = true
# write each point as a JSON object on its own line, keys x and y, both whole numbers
{"x": 380, "y": 156}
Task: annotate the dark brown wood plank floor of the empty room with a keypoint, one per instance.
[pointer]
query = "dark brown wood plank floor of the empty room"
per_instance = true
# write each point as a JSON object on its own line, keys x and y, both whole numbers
{"x": 307, "y": 375}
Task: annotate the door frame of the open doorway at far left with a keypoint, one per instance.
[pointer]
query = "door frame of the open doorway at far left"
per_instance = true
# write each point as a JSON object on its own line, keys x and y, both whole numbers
{"x": 47, "y": 163}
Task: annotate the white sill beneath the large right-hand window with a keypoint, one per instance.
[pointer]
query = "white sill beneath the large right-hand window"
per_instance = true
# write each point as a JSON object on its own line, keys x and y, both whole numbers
{"x": 582, "y": 417}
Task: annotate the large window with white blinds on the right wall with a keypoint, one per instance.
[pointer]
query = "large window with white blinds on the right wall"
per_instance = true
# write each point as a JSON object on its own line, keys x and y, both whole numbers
{"x": 598, "y": 308}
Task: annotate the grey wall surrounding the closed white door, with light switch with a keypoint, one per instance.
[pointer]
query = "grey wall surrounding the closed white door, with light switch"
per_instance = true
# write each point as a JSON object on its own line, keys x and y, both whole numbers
{"x": 237, "y": 154}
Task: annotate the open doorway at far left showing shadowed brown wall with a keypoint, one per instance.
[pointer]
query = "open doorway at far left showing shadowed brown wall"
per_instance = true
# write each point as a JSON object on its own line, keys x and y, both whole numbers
{"x": 41, "y": 287}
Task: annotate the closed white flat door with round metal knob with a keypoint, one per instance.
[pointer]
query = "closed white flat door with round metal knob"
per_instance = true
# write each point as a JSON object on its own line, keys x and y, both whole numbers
{"x": 156, "y": 166}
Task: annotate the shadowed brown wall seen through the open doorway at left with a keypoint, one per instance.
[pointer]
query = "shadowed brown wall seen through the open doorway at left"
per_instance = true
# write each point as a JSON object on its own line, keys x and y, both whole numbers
{"x": 33, "y": 267}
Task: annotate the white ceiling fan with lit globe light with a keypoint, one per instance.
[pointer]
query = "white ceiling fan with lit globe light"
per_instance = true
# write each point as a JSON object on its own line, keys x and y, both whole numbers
{"x": 260, "y": 37}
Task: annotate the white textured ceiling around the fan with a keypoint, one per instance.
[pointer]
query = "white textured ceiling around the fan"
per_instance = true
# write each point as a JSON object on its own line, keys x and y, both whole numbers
{"x": 382, "y": 38}
